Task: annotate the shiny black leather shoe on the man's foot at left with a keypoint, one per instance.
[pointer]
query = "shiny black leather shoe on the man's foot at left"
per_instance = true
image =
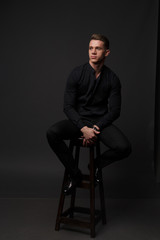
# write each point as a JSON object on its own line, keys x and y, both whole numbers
{"x": 71, "y": 184}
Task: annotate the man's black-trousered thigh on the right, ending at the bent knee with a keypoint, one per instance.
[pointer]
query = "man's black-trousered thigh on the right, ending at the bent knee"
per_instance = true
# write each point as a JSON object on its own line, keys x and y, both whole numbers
{"x": 113, "y": 137}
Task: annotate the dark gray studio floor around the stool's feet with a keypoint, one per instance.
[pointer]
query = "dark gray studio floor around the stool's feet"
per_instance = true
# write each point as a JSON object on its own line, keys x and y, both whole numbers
{"x": 34, "y": 219}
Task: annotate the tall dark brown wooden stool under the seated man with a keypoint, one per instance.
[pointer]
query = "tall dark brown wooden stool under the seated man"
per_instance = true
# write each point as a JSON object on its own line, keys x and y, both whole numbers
{"x": 88, "y": 182}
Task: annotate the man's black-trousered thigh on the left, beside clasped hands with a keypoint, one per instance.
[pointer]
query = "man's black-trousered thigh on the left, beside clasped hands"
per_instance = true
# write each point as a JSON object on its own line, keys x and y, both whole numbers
{"x": 65, "y": 130}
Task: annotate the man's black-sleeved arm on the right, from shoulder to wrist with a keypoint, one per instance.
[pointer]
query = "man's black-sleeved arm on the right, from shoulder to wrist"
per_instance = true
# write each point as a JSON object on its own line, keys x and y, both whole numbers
{"x": 114, "y": 104}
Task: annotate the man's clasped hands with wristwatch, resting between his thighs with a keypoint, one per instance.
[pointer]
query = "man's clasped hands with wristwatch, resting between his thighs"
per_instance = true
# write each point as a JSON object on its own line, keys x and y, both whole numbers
{"x": 89, "y": 135}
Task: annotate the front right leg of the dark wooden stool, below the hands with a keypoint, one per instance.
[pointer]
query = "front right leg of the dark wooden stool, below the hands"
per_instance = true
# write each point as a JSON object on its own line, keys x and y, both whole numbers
{"x": 92, "y": 193}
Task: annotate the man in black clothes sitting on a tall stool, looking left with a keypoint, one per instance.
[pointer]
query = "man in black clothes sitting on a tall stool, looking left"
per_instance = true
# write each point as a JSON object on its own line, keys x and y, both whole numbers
{"x": 92, "y": 101}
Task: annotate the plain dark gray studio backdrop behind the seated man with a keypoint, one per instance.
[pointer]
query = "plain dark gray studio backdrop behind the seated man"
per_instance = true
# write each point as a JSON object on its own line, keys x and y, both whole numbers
{"x": 40, "y": 44}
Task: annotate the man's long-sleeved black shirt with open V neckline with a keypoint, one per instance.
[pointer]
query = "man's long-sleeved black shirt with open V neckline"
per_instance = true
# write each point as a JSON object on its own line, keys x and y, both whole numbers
{"x": 86, "y": 97}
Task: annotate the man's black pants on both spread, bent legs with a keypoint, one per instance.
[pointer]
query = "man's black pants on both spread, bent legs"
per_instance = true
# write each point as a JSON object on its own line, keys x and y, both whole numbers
{"x": 111, "y": 136}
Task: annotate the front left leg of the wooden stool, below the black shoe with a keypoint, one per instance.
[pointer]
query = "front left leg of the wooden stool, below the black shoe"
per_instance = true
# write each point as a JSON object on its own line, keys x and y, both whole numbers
{"x": 61, "y": 204}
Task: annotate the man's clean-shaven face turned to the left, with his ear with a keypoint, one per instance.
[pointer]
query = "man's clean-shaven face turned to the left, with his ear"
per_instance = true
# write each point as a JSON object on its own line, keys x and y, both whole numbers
{"x": 97, "y": 51}
